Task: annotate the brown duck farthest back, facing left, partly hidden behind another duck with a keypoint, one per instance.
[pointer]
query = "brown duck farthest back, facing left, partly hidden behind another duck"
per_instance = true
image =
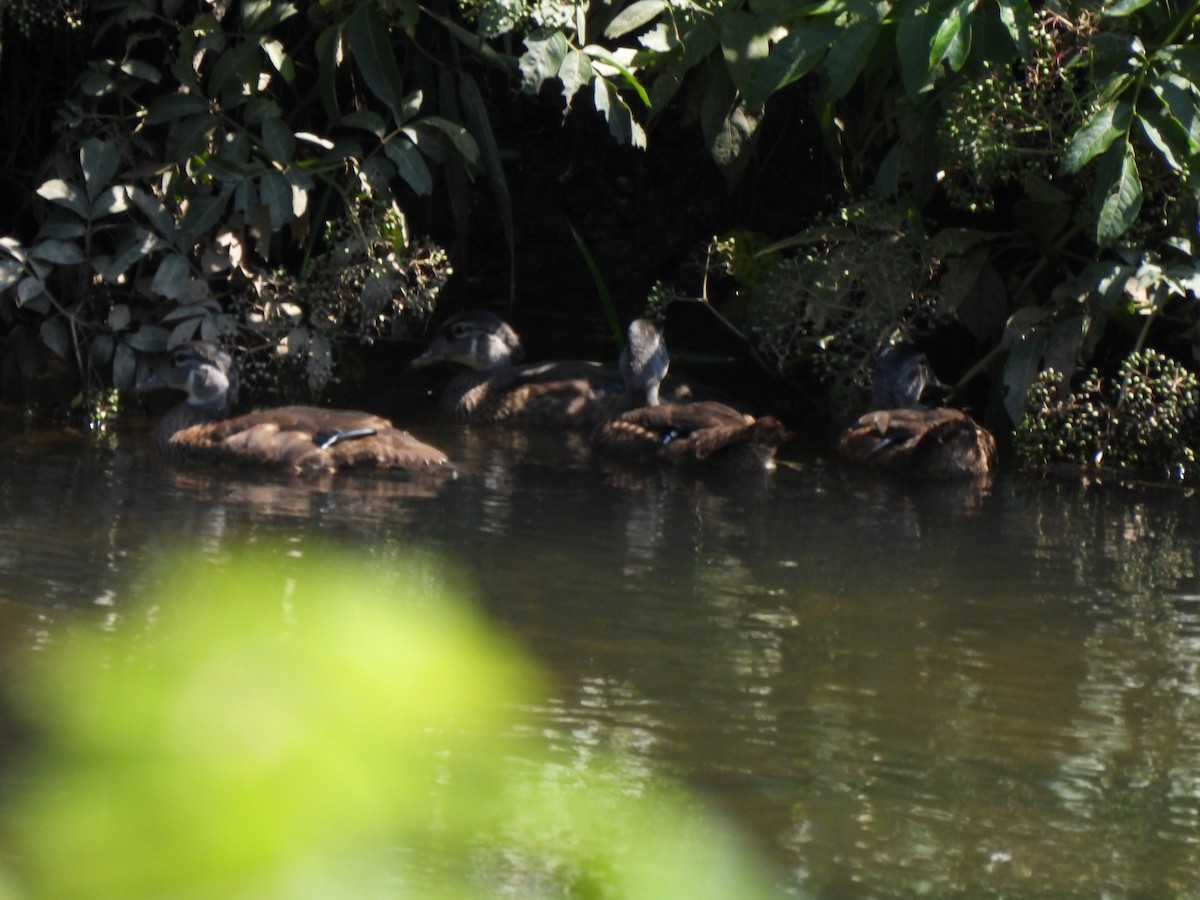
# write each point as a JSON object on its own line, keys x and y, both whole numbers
{"x": 495, "y": 389}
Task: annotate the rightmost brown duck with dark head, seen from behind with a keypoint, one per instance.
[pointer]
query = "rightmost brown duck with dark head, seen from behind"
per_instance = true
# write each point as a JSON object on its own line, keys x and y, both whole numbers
{"x": 904, "y": 436}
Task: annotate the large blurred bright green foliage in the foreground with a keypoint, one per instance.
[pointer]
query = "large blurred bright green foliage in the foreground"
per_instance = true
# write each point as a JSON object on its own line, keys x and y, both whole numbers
{"x": 327, "y": 725}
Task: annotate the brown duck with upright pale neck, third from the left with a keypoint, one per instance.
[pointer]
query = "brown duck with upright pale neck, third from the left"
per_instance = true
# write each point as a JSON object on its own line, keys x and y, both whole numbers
{"x": 643, "y": 429}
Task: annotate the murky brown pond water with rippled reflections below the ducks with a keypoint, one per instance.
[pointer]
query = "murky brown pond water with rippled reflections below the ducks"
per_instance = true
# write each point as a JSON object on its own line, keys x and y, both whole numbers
{"x": 892, "y": 689}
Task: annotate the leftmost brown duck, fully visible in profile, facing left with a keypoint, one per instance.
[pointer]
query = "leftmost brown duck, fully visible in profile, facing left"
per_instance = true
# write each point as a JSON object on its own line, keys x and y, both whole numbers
{"x": 298, "y": 439}
